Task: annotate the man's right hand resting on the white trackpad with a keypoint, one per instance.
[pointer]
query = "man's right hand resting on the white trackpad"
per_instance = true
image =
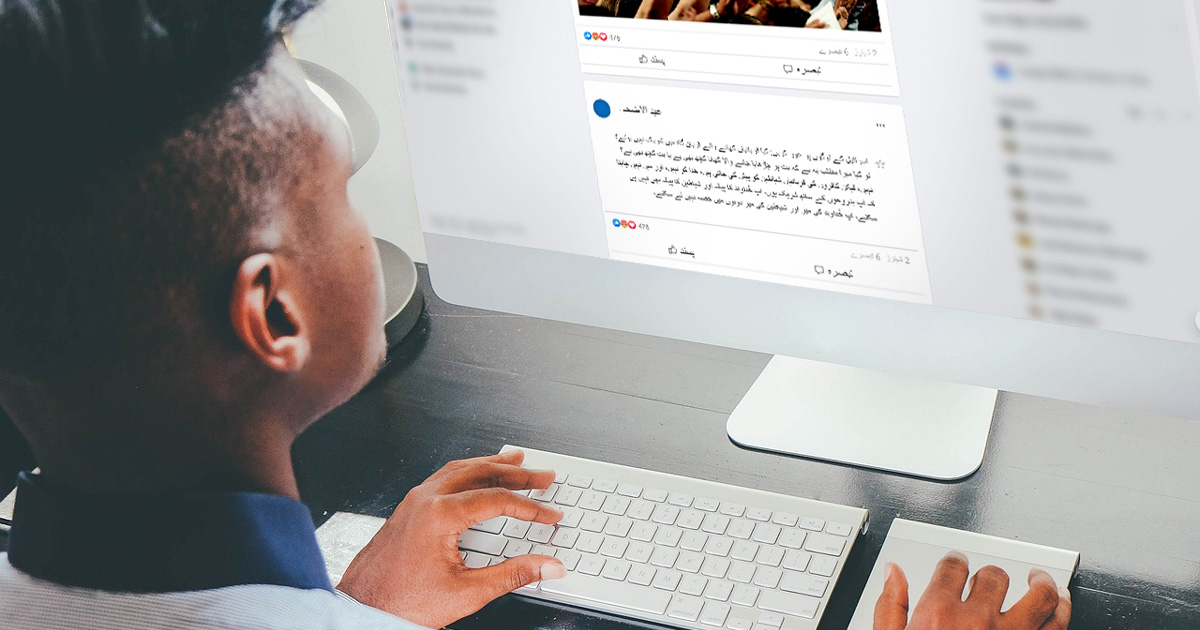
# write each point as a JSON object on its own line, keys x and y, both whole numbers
{"x": 1045, "y": 608}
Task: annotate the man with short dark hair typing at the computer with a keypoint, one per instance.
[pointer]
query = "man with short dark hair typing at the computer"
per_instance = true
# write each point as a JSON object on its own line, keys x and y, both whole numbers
{"x": 184, "y": 290}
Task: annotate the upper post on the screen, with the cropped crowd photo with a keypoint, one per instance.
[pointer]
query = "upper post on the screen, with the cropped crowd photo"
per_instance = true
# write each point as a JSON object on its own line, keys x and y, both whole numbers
{"x": 837, "y": 46}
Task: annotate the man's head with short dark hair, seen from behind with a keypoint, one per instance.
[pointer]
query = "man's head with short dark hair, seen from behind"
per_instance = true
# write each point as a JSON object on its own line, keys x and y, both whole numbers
{"x": 176, "y": 235}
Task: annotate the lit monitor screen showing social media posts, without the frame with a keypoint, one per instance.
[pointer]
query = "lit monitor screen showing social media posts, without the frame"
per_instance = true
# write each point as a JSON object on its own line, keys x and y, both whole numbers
{"x": 1023, "y": 159}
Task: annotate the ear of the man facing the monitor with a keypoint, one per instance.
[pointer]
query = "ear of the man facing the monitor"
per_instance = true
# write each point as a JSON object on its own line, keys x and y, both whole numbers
{"x": 265, "y": 316}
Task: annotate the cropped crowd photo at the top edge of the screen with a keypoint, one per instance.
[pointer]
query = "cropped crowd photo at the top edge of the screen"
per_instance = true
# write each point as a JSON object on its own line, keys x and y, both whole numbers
{"x": 845, "y": 15}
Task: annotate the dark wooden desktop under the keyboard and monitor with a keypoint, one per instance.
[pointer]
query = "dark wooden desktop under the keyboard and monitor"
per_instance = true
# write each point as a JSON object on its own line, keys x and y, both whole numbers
{"x": 1123, "y": 489}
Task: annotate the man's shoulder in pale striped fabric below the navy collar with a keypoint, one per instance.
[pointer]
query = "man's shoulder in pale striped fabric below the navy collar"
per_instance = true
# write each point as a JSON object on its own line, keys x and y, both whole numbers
{"x": 31, "y": 603}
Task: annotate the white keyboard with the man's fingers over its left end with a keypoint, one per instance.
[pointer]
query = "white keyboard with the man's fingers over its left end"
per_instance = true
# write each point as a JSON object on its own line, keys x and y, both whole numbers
{"x": 675, "y": 550}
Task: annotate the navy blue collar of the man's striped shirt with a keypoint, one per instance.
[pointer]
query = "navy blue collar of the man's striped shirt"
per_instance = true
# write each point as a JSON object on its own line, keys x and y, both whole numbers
{"x": 163, "y": 544}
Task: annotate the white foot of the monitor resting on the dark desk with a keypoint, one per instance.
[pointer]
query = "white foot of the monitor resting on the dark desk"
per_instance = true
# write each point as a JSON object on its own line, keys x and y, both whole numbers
{"x": 866, "y": 418}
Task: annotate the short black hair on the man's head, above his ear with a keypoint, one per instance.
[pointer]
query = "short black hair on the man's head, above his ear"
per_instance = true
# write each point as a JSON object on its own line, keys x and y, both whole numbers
{"x": 133, "y": 155}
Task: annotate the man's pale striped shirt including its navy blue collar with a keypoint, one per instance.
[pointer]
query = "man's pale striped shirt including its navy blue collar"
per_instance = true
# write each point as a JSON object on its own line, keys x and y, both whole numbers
{"x": 231, "y": 561}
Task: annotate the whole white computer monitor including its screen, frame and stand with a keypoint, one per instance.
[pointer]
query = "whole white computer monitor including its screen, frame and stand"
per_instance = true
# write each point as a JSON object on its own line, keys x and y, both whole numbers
{"x": 961, "y": 197}
